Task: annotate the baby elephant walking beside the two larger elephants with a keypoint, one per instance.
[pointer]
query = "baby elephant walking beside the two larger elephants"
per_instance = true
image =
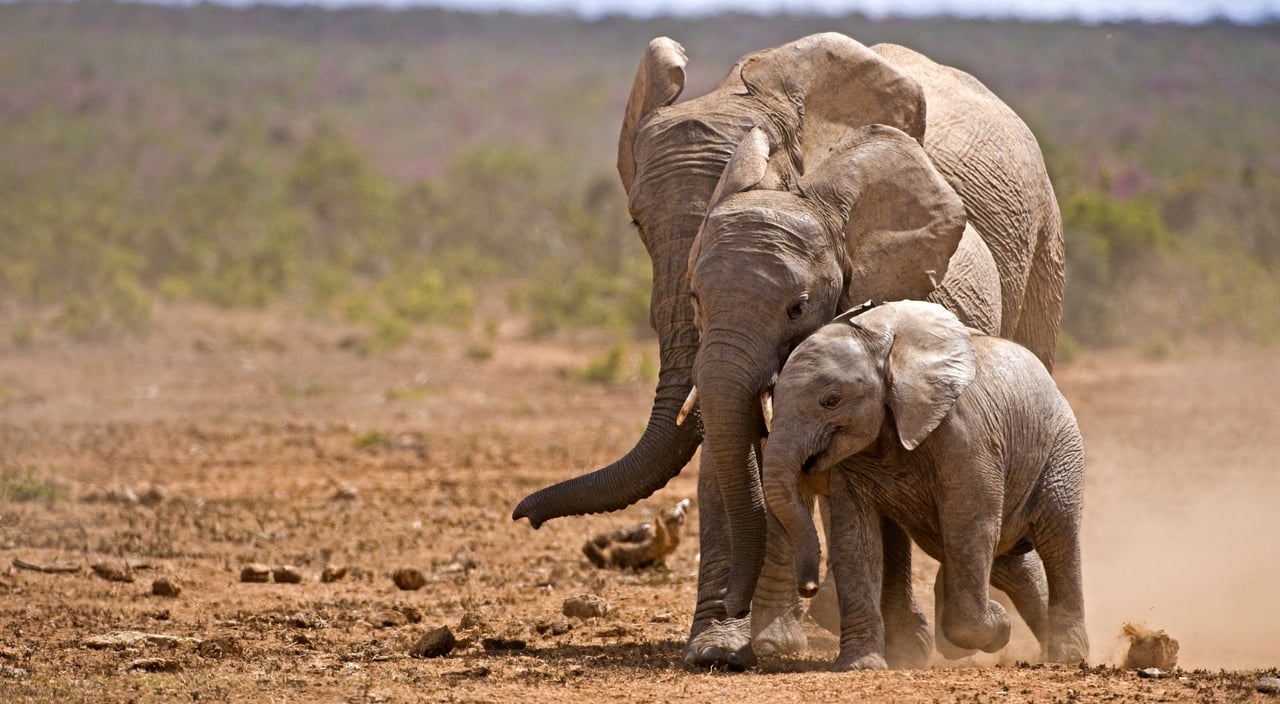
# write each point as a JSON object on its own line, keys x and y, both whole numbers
{"x": 962, "y": 440}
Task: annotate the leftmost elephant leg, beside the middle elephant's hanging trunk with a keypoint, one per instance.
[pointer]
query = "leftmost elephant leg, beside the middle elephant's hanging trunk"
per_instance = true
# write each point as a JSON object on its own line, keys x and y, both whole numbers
{"x": 715, "y": 641}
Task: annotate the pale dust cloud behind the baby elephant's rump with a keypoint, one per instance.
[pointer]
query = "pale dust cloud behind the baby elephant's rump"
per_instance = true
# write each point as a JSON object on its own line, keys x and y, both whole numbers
{"x": 1181, "y": 529}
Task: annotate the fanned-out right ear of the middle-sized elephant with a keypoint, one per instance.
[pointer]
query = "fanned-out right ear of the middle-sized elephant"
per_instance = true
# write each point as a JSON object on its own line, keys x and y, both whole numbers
{"x": 900, "y": 218}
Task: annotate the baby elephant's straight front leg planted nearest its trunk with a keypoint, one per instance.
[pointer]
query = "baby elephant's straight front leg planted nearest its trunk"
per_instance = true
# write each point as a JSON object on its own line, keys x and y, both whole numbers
{"x": 857, "y": 559}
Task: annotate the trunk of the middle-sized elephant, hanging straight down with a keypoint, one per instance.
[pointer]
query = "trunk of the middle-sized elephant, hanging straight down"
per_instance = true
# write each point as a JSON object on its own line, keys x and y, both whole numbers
{"x": 730, "y": 405}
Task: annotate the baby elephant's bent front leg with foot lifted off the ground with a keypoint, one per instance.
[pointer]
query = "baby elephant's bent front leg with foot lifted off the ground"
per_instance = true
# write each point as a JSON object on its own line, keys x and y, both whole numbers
{"x": 970, "y": 619}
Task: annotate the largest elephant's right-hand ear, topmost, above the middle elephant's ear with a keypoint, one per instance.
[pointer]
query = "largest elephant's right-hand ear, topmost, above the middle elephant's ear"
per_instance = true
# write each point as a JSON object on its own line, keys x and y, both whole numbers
{"x": 826, "y": 85}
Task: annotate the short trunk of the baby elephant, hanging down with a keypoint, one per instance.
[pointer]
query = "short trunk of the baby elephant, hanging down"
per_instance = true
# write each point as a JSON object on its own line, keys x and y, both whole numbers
{"x": 783, "y": 467}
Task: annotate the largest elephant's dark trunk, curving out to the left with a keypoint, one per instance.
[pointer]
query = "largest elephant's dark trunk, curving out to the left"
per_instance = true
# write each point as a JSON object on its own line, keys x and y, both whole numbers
{"x": 661, "y": 452}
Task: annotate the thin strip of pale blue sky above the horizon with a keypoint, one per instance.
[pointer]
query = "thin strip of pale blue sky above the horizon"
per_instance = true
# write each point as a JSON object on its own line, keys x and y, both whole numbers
{"x": 1085, "y": 11}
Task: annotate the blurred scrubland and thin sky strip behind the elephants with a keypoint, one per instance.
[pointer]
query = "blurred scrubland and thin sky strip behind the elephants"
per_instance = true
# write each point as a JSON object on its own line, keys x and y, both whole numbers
{"x": 399, "y": 167}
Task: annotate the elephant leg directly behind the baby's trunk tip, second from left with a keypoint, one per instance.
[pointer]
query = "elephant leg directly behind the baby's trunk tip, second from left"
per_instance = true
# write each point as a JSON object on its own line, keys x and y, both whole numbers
{"x": 778, "y": 610}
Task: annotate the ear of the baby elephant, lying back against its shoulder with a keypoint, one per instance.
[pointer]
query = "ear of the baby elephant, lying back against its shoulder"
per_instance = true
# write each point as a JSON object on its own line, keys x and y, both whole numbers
{"x": 931, "y": 362}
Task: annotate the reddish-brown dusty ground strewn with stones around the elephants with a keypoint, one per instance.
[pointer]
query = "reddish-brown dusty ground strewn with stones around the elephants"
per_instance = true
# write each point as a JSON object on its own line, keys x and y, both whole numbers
{"x": 230, "y": 440}
